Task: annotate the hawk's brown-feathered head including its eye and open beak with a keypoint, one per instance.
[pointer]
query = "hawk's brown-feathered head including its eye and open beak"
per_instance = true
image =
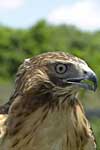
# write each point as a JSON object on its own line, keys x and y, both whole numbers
{"x": 55, "y": 72}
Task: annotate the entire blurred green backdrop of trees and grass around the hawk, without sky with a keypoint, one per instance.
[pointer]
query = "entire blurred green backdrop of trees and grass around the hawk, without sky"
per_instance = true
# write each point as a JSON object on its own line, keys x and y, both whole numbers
{"x": 18, "y": 44}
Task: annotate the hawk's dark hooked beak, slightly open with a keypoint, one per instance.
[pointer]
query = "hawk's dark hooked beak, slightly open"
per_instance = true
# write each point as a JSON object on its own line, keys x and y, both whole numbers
{"x": 82, "y": 81}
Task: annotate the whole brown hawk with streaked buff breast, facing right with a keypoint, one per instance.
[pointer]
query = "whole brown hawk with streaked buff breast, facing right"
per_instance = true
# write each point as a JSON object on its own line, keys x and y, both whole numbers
{"x": 44, "y": 112}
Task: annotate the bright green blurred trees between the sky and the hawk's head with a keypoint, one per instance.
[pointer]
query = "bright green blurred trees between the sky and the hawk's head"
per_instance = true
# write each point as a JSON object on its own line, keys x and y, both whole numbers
{"x": 16, "y": 45}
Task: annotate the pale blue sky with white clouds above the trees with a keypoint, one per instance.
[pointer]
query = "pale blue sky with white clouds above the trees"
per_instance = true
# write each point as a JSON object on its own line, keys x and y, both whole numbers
{"x": 85, "y": 14}
